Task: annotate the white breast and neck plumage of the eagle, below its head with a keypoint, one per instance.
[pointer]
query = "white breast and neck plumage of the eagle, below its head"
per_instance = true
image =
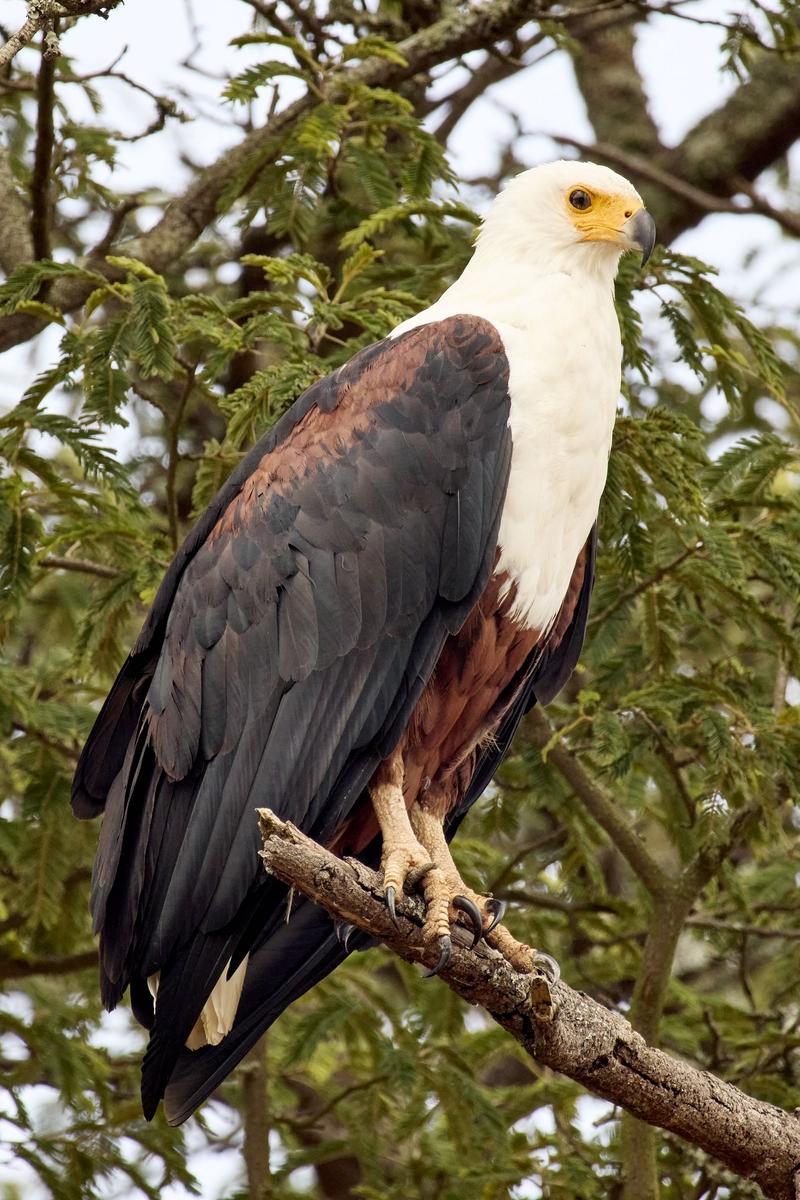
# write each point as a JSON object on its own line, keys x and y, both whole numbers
{"x": 563, "y": 344}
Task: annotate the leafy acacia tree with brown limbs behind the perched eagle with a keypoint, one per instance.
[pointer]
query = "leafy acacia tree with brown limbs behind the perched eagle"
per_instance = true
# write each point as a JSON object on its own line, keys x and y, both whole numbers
{"x": 643, "y": 830}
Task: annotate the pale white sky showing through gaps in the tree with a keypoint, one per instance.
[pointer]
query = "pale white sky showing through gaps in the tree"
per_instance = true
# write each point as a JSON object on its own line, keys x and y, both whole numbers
{"x": 681, "y": 64}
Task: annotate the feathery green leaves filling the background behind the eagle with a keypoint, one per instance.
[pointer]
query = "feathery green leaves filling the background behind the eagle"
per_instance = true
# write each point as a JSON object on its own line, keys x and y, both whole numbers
{"x": 678, "y": 711}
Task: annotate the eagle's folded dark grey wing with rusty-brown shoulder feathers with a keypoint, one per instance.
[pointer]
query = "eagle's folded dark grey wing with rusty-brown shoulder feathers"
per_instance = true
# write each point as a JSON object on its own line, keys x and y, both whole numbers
{"x": 287, "y": 647}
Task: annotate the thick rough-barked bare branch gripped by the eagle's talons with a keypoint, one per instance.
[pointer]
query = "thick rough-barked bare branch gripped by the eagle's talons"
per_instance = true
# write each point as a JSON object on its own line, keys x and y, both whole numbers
{"x": 591, "y": 1045}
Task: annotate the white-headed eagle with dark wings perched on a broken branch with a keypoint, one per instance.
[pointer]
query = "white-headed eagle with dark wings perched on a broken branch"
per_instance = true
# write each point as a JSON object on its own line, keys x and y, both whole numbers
{"x": 351, "y": 634}
